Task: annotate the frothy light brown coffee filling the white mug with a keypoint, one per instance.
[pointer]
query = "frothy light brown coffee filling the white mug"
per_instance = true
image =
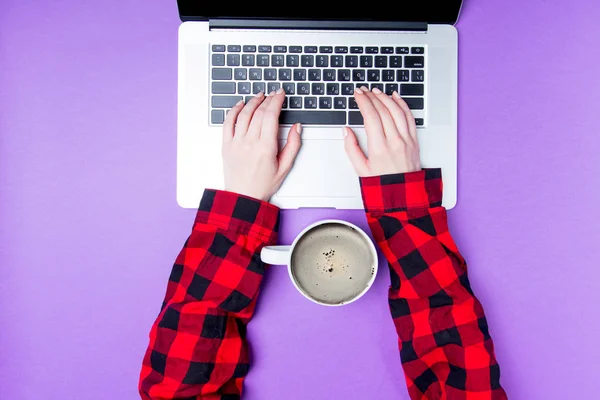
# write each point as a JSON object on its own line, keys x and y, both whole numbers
{"x": 332, "y": 263}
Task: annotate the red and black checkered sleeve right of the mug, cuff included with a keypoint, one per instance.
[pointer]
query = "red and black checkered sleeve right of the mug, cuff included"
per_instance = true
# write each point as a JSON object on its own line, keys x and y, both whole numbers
{"x": 445, "y": 347}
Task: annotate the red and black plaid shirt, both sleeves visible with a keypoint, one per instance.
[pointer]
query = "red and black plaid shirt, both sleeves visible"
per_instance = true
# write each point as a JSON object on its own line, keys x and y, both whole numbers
{"x": 198, "y": 347}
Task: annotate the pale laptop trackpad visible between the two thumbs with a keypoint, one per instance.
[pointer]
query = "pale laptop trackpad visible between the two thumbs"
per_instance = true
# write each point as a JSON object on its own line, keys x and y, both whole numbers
{"x": 322, "y": 169}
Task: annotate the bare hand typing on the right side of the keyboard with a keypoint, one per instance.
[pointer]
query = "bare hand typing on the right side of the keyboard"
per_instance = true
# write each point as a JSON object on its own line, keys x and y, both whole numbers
{"x": 391, "y": 135}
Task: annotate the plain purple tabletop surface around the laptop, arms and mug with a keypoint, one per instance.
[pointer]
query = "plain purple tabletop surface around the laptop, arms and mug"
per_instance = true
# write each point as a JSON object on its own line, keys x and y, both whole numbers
{"x": 89, "y": 225}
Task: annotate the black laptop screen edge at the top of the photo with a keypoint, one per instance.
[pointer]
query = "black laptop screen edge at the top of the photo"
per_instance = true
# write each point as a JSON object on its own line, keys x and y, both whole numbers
{"x": 433, "y": 12}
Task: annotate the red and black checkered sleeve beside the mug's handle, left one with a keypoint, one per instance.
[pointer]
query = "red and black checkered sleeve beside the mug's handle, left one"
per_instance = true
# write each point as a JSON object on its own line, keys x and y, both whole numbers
{"x": 198, "y": 347}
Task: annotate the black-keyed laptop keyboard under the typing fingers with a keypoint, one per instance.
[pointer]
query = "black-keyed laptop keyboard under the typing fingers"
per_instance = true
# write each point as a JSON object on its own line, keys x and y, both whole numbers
{"x": 319, "y": 80}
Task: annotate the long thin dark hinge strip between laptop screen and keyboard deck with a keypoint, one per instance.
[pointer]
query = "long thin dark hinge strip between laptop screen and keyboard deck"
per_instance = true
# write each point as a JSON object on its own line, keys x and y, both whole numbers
{"x": 222, "y": 23}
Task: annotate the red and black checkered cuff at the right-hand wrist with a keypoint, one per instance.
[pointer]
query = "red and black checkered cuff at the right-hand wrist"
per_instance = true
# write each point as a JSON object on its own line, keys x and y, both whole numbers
{"x": 400, "y": 192}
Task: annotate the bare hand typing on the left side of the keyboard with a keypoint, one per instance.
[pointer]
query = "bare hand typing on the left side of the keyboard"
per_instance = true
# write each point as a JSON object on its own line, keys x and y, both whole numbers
{"x": 251, "y": 163}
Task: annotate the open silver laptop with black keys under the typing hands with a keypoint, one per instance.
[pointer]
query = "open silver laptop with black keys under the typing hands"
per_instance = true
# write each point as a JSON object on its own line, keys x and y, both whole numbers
{"x": 230, "y": 51}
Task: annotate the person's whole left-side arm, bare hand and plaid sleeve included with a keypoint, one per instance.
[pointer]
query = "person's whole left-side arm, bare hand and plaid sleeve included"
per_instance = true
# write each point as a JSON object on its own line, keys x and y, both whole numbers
{"x": 198, "y": 347}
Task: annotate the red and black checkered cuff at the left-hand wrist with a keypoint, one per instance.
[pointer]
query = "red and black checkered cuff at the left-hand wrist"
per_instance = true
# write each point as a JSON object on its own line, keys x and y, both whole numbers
{"x": 239, "y": 213}
